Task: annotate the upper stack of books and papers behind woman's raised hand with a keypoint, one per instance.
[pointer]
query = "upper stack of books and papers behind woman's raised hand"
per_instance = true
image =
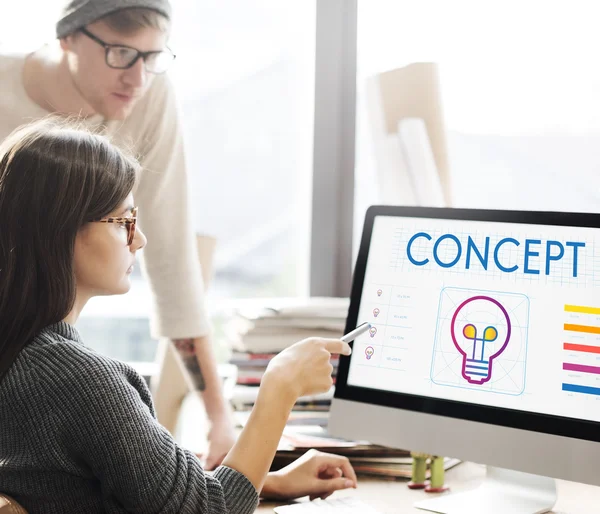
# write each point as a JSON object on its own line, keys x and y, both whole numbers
{"x": 258, "y": 332}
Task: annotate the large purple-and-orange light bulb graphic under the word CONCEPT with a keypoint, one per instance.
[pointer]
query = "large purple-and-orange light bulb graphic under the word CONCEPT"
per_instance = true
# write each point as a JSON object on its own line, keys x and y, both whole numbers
{"x": 480, "y": 331}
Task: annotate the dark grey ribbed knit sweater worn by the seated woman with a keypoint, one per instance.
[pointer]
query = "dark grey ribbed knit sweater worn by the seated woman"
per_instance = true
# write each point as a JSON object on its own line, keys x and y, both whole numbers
{"x": 78, "y": 434}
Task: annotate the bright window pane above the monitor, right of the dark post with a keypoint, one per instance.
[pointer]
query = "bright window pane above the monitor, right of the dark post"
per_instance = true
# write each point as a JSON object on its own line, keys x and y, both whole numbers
{"x": 520, "y": 95}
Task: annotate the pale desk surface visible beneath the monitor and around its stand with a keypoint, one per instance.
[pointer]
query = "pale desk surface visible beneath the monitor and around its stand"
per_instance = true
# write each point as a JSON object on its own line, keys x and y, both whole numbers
{"x": 394, "y": 497}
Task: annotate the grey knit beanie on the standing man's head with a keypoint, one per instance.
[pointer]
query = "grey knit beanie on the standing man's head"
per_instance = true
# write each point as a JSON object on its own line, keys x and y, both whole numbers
{"x": 76, "y": 14}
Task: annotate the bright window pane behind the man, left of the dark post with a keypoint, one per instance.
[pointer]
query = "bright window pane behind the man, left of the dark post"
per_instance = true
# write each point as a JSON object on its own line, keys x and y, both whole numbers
{"x": 245, "y": 78}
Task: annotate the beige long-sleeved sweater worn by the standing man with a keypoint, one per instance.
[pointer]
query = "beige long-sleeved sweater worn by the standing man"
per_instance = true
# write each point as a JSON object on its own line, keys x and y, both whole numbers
{"x": 153, "y": 132}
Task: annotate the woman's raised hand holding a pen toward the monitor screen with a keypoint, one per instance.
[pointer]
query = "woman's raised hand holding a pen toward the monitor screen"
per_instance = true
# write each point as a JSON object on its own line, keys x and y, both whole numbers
{"x": 304, "y": 368}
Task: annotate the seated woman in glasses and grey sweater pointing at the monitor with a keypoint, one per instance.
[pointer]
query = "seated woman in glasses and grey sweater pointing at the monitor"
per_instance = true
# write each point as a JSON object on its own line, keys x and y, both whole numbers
{"x": 78, "y": 431}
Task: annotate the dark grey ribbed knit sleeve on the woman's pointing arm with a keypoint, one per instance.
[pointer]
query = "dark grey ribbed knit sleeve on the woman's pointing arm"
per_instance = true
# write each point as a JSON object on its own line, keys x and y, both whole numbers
{"x": 110, "y": 426}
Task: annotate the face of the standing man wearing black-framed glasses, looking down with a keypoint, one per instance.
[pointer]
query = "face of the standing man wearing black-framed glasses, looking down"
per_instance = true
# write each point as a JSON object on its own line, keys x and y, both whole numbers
{"x": 110, "y": 92}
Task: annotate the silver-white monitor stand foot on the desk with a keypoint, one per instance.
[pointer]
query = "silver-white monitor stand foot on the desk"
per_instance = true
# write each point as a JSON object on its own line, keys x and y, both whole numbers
{"x": 503, "y": 491}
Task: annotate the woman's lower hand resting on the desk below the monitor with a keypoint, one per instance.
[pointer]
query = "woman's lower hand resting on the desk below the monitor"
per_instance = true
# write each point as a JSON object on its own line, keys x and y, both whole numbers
{"x": 315, "y": 474}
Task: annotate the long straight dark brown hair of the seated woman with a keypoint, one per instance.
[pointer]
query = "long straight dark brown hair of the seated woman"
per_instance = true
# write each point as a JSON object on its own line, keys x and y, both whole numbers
{"x": 54, "y": 178}
